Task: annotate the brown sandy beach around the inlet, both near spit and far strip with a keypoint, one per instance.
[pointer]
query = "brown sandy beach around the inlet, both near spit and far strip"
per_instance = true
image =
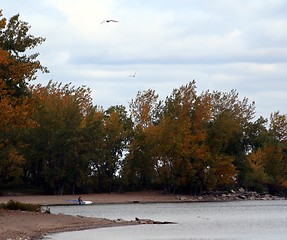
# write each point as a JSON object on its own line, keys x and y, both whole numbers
{"x": 31, "y": 225}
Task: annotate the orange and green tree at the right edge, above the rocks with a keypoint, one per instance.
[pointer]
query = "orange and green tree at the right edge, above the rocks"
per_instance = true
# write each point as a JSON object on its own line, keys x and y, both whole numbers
{"x": 267, "y": 158}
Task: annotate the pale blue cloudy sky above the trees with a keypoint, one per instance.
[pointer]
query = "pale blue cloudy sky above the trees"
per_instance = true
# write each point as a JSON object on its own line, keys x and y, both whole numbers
{"x": 222, "y": 45}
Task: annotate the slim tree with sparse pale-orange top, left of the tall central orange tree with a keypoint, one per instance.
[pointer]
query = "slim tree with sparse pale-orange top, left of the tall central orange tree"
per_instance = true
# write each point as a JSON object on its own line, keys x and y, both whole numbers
{"x": 145, "y": 111}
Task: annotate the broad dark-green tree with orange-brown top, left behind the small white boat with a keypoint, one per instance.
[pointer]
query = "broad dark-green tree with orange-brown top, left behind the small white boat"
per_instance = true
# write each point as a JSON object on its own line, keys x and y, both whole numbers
{"x": 57, "y": 151}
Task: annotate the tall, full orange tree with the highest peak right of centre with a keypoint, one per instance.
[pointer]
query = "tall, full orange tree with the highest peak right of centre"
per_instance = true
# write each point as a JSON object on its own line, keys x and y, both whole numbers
{"x": 183, "y": 154}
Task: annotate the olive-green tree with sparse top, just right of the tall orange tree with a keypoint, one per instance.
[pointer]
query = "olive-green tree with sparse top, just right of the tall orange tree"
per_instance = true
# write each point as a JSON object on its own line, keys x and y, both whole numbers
{"x": 227, "y": 130}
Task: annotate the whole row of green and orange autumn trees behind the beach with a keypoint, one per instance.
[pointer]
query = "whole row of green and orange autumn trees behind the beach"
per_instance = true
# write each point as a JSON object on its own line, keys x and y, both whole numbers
{"x": 53, "y": 139}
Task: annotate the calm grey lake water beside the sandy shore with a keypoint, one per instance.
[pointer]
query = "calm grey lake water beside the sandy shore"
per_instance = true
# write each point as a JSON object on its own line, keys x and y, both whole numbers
{"x": 250, "y": 220}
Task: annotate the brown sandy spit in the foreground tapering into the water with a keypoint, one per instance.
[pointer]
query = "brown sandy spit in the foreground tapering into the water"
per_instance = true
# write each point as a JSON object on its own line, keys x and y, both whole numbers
{"x": 16, "y": 225}
